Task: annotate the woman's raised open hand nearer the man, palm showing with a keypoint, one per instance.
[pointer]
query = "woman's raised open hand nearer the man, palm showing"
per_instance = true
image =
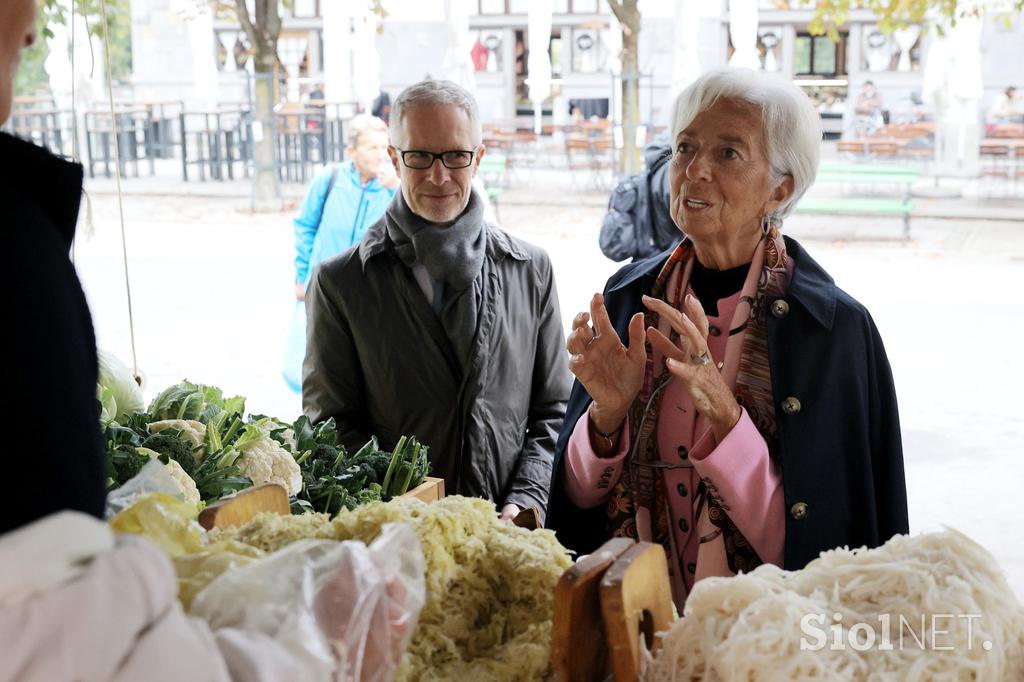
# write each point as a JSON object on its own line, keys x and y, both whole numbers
{"x": 611, "y": 372}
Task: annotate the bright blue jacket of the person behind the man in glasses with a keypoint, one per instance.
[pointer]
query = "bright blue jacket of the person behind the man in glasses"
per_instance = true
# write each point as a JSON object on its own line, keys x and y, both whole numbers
{"x": 349, "y": 212}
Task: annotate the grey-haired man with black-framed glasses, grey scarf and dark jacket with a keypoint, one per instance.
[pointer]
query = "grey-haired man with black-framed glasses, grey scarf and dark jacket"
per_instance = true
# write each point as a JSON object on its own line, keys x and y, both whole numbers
{"x": 440, "y": 325}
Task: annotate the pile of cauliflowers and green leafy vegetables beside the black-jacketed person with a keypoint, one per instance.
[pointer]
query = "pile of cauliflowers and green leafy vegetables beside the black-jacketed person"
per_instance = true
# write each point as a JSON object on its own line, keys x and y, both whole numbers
{"x": 214, "y": 450}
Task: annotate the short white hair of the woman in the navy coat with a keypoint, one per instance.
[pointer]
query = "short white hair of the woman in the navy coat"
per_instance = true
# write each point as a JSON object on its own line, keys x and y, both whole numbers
{"x": 792, "y": 129}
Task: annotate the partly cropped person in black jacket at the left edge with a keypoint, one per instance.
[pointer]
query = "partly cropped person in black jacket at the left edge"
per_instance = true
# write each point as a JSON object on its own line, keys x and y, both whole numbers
{"x": 54, "y": 455}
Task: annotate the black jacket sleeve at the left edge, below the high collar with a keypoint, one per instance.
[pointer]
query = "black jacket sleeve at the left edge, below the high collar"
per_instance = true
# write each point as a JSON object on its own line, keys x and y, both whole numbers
{"x": 53, "y": 450}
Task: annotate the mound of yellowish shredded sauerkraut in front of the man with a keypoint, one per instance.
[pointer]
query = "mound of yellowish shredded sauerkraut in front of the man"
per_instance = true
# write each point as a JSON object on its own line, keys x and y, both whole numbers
{"x": 490, "y": 585}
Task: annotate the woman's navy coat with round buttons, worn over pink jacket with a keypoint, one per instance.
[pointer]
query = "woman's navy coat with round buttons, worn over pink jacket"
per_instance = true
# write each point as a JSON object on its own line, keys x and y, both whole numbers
{"x": 841, "y": 455}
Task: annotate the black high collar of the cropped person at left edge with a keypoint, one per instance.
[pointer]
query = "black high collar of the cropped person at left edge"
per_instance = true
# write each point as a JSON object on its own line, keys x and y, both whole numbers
{"x": 50, "y": 184}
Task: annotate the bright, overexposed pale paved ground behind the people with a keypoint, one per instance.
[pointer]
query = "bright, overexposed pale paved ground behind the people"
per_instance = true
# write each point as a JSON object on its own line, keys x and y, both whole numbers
{"x": 211, "y": 286}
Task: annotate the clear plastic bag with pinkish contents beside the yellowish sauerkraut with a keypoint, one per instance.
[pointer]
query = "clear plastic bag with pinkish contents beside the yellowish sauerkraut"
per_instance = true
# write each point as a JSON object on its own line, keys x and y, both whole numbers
{"x": 346, "y": 611}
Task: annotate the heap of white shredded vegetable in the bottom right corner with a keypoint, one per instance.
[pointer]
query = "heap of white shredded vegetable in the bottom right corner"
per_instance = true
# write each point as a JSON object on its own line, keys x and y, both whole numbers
{"x": 943, "y": 586}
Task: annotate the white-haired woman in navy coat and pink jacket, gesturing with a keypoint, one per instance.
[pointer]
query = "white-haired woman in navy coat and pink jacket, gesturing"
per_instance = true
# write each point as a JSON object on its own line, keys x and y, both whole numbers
{"x": 732, "y": 403}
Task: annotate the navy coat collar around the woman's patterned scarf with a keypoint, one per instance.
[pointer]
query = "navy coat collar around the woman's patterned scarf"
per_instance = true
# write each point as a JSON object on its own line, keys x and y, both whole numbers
{"x": 812, "y": 286}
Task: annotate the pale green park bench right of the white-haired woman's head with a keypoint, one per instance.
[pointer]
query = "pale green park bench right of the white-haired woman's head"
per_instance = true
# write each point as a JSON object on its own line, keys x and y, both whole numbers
{"x": 869, "y": 175}
